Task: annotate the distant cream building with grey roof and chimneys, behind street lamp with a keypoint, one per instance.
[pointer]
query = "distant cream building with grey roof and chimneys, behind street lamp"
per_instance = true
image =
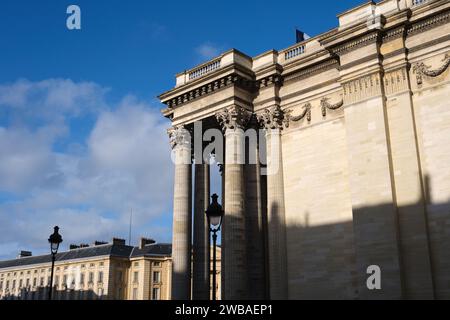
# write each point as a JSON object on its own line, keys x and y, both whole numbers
{"x": 112, "y": 271}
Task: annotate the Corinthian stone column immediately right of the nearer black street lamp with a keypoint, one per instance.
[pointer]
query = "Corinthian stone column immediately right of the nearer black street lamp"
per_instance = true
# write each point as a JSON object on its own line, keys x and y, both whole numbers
{"x": 234, "y": 252}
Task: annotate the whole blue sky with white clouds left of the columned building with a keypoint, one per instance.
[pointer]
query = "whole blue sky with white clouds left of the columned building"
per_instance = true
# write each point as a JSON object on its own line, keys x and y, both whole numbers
{"x": 81, "y": 137}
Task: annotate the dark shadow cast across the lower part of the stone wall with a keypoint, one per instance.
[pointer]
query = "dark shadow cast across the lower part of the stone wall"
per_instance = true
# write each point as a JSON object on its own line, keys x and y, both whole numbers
{"x": 410, "y": 243}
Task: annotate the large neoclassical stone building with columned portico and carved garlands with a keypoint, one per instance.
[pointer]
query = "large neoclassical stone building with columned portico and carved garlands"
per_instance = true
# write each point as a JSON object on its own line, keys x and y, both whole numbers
{"x": 359, "y": 120}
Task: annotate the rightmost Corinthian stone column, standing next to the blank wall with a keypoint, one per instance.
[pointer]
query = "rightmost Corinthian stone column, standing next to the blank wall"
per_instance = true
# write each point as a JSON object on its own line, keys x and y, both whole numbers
{"x": 274, "y": 121}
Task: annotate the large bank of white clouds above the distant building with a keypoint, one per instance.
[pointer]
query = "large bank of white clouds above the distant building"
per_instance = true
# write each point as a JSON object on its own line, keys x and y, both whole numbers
{"x": 124, "y": 163}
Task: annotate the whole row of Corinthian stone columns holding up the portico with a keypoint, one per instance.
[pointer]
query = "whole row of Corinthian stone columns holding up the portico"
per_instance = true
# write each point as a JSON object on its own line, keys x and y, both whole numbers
{"x": 245, "y": 237}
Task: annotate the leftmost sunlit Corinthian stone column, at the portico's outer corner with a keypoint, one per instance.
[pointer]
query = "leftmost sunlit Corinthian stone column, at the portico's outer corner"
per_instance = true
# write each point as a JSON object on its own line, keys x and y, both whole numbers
{"x": 182, "y": 214}
